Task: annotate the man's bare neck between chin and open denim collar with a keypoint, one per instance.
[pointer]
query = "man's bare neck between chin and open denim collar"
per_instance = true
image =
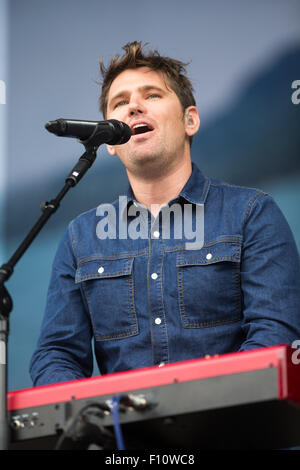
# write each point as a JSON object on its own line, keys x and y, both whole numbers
{"x": 159, "y": 191}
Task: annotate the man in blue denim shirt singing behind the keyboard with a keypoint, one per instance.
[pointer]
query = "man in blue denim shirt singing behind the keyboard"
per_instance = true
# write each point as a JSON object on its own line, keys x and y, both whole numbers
{"x": 161, "y": 297}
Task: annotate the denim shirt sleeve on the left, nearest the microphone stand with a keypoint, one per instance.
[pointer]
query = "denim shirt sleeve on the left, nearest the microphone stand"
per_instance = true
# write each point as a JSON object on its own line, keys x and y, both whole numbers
{"x": 64, "y": 350}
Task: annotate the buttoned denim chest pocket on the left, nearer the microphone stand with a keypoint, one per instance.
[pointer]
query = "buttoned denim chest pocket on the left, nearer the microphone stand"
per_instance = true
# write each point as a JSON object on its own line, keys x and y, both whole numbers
{"x": 108, "y": 287}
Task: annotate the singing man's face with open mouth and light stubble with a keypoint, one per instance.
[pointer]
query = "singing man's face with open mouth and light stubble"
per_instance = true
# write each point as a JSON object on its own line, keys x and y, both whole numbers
{"x": 142, "y": 99}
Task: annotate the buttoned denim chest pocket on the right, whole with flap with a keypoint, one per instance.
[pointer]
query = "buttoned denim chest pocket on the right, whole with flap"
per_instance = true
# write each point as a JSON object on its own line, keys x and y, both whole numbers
{"x": 209, "y": 285}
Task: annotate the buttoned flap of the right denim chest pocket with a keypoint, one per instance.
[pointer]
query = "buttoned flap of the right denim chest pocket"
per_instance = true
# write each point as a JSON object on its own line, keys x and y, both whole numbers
{"x": 212, "y": 253}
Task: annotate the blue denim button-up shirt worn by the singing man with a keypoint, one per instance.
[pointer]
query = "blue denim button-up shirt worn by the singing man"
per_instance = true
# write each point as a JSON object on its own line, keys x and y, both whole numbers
{"x": 150, "y": 300}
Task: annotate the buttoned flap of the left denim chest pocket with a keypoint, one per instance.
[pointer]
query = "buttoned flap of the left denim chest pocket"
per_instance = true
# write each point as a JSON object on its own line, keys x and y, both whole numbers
{"x": 103, "y": 268}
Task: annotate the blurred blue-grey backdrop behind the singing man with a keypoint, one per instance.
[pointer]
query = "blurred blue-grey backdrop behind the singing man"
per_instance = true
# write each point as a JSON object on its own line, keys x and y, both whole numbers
{"x": 244, "y": 57}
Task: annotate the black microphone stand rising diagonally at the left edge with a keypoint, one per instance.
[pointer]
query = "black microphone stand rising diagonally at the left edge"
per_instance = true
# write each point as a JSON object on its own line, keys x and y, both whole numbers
{"x": 6, "y": 270}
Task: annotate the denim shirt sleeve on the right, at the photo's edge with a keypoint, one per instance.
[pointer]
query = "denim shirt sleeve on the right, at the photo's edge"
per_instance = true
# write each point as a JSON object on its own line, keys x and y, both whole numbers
{"x": 270, "y": 277}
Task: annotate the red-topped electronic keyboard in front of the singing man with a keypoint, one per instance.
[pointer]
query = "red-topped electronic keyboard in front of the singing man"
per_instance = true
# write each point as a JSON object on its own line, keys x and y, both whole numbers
{"x": 255, "y": 394}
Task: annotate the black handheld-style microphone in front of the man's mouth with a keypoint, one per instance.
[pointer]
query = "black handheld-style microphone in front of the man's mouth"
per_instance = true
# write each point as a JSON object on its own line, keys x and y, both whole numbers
{"x": 108, "y": 132}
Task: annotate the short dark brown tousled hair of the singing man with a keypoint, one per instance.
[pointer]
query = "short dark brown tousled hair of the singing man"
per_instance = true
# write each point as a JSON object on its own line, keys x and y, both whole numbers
{"x": 173, "y": 70}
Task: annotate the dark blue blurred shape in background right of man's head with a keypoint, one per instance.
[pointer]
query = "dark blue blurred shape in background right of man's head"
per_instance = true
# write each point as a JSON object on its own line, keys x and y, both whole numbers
{"x": 258, "y": 138}
